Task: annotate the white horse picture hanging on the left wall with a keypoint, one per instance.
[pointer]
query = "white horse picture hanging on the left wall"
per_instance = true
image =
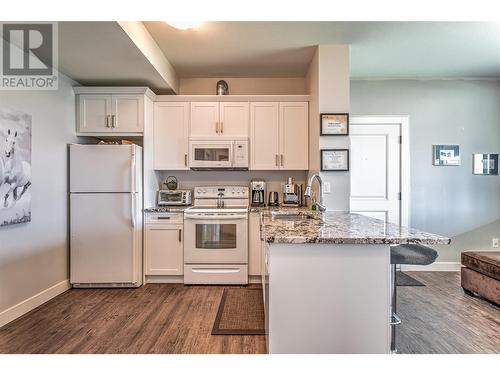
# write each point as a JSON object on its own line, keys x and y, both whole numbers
{"x": 15, "y": 167}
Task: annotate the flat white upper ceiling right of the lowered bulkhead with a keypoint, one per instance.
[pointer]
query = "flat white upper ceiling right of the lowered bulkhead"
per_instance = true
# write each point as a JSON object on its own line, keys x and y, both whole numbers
{"x": 378, "y": 49}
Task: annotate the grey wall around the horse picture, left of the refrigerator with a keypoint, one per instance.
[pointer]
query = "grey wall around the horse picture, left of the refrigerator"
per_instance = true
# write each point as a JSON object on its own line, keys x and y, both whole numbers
{"x": 34, "y": 256}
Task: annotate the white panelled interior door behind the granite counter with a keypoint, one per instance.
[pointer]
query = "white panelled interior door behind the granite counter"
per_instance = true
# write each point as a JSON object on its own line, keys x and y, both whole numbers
{"x": 376, "y": 171}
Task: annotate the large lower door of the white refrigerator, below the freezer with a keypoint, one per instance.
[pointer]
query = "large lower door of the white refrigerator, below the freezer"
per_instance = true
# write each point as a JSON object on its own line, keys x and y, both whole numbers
{"x": 102, "y": 239}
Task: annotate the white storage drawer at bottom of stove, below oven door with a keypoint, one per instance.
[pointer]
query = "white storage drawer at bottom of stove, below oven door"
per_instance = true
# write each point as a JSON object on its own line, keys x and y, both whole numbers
{"x": 216, "y": 274}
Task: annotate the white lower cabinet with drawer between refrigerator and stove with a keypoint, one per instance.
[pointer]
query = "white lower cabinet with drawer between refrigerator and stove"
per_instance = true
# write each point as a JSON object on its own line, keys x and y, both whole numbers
{"x": 164, "y": 246}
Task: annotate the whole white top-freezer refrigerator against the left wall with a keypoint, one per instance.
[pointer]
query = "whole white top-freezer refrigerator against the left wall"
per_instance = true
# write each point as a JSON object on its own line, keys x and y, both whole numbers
{"x": 105, "y": 188}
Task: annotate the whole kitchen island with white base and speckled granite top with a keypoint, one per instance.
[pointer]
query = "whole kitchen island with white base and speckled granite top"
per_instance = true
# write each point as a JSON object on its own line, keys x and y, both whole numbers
{"x": 326, "y": 280}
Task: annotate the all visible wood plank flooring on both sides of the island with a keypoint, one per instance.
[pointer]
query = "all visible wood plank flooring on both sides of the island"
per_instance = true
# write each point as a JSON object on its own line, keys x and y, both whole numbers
{"x": 172, "y": 318}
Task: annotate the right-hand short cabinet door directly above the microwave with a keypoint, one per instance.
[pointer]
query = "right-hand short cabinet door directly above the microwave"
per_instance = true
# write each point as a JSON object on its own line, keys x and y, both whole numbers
{"x": 233, "y": 119}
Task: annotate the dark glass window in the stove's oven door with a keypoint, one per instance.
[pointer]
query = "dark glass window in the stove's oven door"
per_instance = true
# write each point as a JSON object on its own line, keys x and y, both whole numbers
{"x": 215, "y": 236}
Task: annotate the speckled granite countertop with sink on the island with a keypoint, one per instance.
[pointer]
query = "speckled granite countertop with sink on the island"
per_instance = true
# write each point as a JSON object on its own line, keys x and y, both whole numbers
{"x": 340, "y": 228}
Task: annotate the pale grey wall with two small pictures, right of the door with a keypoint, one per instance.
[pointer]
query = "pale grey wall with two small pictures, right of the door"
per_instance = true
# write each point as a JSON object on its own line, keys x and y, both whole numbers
{"x": 444, "y": 200}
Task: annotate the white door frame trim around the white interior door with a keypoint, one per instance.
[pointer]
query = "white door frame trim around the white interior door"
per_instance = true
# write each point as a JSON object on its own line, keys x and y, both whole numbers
{"x": 404, "y": 124}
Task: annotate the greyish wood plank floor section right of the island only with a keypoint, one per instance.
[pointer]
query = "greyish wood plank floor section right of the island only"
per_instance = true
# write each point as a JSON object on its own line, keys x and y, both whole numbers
{"x": 440, "y": 318}
